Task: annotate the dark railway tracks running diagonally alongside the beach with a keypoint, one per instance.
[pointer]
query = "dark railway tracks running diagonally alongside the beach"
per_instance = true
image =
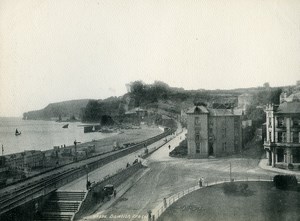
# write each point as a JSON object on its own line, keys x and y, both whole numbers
{"x": 41, "y": 185}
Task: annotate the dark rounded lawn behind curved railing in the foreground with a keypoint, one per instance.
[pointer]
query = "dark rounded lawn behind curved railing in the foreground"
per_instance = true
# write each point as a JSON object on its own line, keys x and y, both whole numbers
{"x": 262, "y": 201}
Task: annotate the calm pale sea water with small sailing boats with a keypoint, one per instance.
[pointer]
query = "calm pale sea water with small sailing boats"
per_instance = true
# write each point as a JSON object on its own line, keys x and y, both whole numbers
{"x": 40, "y": 135}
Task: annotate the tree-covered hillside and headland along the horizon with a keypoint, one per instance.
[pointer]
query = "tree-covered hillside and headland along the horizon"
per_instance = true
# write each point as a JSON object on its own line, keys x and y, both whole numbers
{"x": 158, "y": 98}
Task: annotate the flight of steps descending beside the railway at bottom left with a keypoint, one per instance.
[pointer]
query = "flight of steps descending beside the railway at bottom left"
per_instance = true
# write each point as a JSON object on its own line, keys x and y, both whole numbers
{"x": 61, "y": 206}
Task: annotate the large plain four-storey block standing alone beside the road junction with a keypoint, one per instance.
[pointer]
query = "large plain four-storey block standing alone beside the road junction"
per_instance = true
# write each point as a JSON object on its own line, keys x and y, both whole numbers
{"x": 213, "y": 132}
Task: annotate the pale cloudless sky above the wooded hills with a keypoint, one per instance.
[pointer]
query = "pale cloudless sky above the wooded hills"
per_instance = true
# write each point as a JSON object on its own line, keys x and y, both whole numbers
{"x": 53, "y": 51}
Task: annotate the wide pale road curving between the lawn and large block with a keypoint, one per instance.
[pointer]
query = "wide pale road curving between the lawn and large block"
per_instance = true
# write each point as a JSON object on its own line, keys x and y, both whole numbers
{"x": 168, "y": 176}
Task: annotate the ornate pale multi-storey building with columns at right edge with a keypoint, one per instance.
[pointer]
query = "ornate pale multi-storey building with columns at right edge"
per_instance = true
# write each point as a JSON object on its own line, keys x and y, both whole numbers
{"x": 282, "y": 144}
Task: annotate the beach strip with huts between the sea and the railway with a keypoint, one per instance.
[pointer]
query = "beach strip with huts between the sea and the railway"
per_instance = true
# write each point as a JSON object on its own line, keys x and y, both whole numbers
{"x": 44, "y": 161}
